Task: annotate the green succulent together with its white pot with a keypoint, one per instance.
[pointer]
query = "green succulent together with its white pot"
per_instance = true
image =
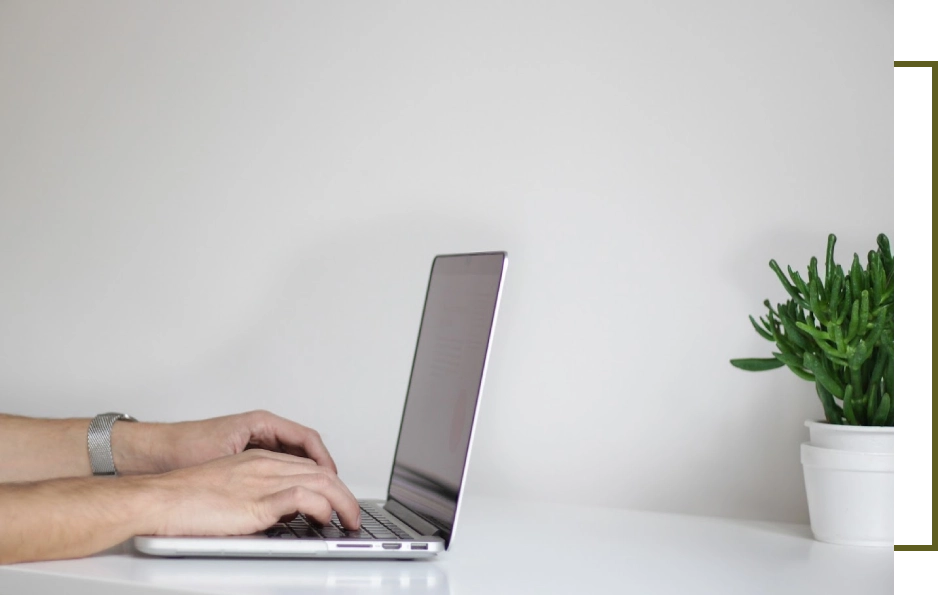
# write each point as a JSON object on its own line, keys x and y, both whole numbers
{"x": 837, "y": 331}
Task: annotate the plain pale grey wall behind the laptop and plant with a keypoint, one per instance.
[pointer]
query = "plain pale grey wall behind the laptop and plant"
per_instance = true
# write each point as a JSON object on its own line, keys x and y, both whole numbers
{"x": 210, "y": 207}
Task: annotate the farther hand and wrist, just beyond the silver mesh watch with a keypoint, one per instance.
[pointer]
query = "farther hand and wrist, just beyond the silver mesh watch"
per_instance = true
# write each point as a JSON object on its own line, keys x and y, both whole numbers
{"x": 158, "y": 448}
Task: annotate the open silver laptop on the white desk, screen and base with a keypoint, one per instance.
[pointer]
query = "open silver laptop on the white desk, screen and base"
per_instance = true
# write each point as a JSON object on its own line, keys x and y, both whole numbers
{"x": 418, "y": 517}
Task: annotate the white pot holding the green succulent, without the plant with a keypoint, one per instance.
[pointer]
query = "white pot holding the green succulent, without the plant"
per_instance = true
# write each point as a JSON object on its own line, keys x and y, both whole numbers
{"x": 850, "y": 479}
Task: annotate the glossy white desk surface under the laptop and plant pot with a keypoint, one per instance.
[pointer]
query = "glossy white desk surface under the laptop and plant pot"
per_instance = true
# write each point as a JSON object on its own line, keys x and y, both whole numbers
{"x": 507, "y": 547}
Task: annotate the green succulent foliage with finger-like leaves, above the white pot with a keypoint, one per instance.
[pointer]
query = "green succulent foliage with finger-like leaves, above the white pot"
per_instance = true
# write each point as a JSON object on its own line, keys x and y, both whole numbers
{"x": 838, "y": 331}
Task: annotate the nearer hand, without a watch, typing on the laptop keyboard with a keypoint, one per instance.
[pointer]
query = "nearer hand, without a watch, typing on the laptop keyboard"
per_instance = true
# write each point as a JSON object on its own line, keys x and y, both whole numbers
{"x": 245, "y": 493}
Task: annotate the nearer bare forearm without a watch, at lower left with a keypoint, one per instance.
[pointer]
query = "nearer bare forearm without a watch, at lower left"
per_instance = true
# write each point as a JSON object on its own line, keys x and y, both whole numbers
{"x": 74, "y": 517}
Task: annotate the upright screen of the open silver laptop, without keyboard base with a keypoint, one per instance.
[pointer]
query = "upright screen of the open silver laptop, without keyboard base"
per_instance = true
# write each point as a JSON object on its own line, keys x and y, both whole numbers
{"x": 445, "y": 383}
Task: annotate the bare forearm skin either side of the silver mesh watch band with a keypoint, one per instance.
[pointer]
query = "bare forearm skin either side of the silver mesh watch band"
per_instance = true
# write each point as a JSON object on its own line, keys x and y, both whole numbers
{"x": 36, "y": 449}
